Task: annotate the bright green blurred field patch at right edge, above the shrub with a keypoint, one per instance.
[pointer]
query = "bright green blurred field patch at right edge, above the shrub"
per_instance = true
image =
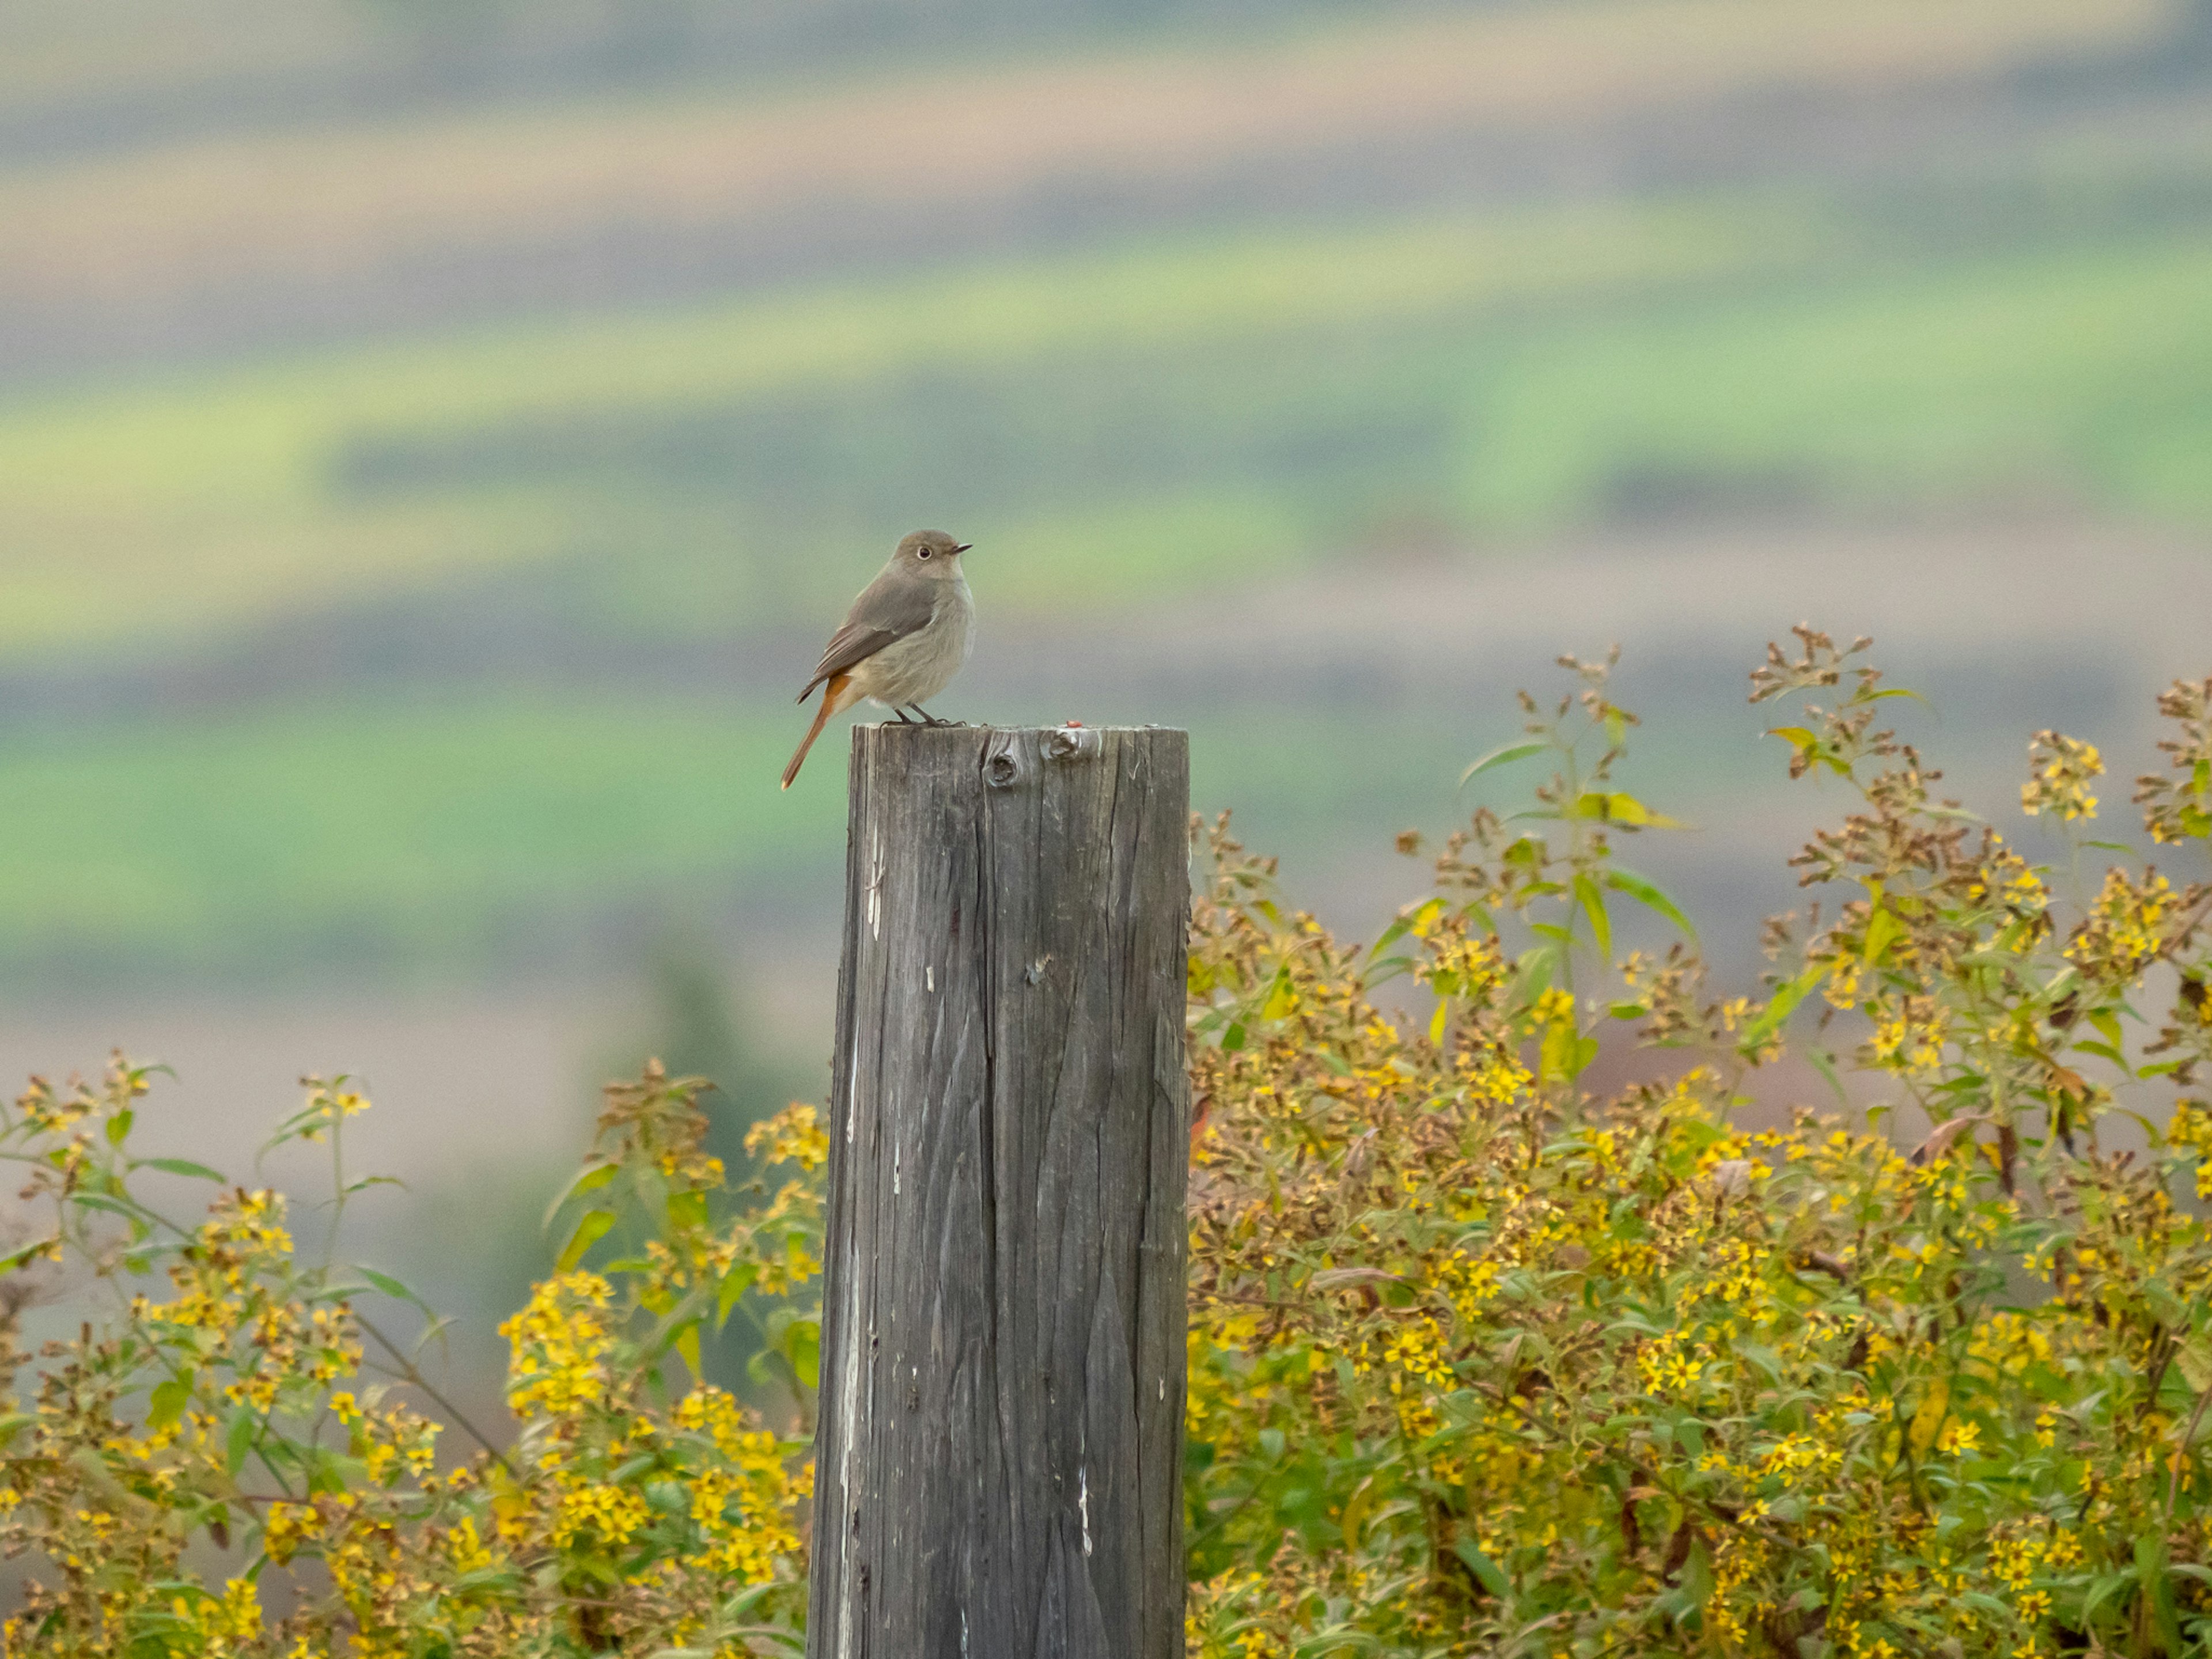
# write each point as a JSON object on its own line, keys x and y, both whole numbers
{"x": 2085, "y": 371}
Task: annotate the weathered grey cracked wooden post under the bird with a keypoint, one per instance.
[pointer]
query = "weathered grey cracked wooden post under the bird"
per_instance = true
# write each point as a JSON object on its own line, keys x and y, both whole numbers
{"x": 999, "y": 1452}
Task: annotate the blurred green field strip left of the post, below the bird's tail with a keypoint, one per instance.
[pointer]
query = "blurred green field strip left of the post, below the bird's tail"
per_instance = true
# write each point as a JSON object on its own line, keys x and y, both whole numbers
{"x": 371, "y": 837}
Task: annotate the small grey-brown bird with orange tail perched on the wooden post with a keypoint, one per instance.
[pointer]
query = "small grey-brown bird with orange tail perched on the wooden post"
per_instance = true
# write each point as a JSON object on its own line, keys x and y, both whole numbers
{"x": 904, "y": 638}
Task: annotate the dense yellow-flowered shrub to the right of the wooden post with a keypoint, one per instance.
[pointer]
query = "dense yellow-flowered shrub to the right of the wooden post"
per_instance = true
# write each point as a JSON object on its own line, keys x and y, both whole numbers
{"x": 1483, "y": 1364}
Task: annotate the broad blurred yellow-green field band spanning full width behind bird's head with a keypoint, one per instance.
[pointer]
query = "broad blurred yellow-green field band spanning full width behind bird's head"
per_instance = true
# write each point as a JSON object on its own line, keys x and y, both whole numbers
{"x": 1173, "y": 415}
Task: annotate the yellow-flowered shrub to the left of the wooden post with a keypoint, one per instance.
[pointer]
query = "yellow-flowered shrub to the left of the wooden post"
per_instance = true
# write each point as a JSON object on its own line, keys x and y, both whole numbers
{"x": 258, "y": 1410}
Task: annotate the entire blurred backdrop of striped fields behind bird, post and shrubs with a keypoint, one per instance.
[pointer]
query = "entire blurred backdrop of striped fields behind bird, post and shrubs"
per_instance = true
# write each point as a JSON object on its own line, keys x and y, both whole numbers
{"x": 439, "y": 435}
